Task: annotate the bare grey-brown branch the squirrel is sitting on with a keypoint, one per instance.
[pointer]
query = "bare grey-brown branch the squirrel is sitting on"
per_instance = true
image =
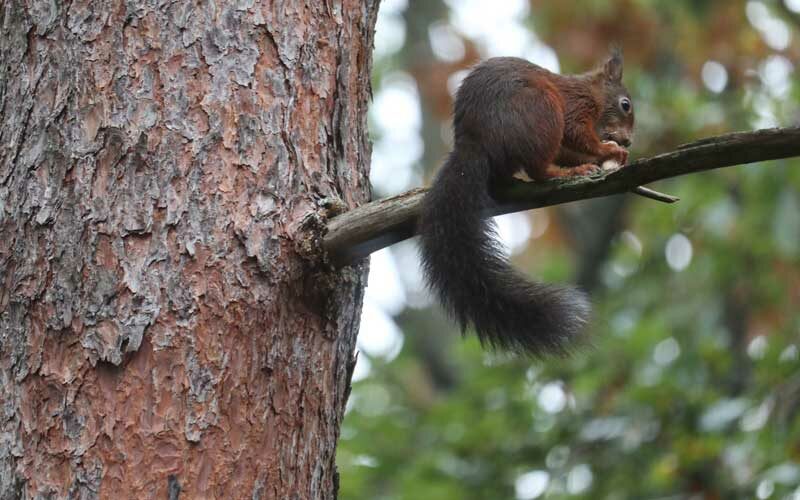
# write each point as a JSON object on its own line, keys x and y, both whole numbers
{"x": 355, "y": 234}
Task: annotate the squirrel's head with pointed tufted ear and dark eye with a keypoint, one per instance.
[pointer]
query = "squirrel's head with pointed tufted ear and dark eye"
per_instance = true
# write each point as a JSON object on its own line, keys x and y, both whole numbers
{"x": 616, "y": 118}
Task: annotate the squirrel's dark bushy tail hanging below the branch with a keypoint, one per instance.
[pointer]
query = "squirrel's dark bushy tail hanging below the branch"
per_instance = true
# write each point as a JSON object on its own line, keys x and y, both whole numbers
{"x": 476, "y": 285}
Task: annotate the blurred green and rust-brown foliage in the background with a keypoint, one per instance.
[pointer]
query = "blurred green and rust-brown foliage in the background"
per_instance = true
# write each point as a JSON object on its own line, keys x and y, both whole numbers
{"x": 692, "y": 387}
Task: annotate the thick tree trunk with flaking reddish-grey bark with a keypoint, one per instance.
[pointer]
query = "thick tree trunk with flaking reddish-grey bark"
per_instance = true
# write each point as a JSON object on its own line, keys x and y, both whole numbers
{"x": 164, "y": 328}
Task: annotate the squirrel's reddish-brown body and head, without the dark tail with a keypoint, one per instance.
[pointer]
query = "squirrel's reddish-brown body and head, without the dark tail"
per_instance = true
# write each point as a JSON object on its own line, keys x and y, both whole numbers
{"x": 525, "y": 117}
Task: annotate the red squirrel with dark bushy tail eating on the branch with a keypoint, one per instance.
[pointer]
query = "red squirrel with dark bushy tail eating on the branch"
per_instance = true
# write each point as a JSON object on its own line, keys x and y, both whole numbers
{"x": 513, "y": 116}
